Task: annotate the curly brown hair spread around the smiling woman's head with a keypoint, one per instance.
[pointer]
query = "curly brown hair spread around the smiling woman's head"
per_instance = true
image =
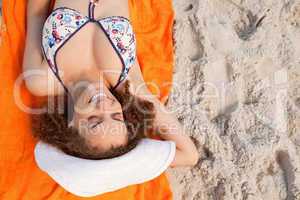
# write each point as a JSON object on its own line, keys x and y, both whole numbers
{"x": 52, "y": 127}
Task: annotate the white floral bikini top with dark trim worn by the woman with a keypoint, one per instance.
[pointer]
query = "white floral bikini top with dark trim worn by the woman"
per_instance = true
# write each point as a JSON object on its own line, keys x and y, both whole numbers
{"x": 65, "y": 22}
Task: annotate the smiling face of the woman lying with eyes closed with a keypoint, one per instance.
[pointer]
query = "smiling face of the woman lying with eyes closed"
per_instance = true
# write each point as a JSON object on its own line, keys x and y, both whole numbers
{"x": 98, "y": 117}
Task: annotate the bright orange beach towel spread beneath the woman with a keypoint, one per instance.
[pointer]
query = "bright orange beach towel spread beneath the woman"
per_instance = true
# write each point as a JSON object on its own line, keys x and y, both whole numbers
{"x": 20, "y": 178}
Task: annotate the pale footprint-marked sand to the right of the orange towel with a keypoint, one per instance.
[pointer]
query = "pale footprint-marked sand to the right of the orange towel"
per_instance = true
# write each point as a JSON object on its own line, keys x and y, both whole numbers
{"x": 237, "y": 92}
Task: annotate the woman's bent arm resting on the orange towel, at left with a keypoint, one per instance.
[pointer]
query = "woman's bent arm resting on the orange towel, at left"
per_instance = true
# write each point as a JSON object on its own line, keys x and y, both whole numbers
{"x": 39, "y": 79}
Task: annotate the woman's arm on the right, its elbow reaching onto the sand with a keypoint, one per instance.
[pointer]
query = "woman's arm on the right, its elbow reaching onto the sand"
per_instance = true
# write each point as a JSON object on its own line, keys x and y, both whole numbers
{"x": 166, "y": 124}
